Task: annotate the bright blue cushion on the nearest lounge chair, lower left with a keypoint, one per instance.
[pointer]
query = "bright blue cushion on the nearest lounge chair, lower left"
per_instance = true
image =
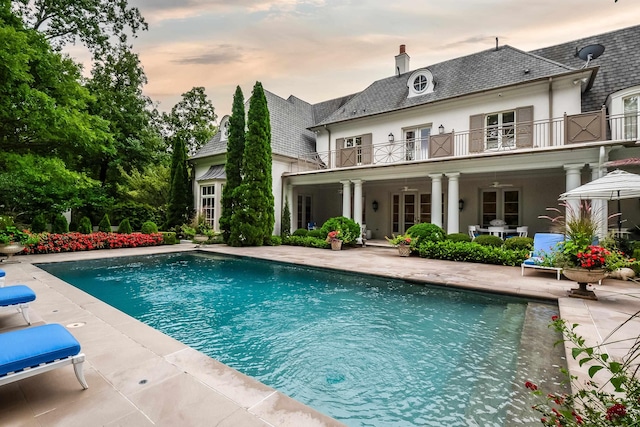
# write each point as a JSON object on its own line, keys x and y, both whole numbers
{"x": 30, "y": 347}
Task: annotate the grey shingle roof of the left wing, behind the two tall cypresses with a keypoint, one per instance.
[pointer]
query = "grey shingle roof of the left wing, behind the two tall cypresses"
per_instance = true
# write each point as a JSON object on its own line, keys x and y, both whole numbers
{"x": 289, "y": 118}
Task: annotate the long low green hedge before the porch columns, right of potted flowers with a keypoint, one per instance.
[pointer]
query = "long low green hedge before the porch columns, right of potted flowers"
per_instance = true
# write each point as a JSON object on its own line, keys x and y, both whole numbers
{"x": 472, "y": 252}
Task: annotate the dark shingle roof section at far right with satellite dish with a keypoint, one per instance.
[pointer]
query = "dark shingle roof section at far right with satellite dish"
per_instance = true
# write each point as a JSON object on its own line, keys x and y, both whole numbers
{"x": 619, "y": 64}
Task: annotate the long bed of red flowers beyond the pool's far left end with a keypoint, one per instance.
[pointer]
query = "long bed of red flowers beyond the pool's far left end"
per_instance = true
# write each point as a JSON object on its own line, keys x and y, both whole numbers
{"x": 71, "y": 242}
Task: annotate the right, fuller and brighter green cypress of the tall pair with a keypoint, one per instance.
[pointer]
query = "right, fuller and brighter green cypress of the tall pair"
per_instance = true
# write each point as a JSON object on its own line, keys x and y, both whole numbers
{"x": 253, "y": 219}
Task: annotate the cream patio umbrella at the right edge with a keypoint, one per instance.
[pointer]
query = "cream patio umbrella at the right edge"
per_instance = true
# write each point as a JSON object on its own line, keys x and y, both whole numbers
{"x": 615, "y": 185}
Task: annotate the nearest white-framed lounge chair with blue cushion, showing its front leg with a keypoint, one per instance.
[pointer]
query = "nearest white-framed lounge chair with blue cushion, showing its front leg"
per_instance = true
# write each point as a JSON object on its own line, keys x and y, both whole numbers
{"x": 32, "y": 351}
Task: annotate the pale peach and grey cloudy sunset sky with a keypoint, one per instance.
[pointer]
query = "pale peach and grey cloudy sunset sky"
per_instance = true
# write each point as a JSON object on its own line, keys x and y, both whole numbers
{"x": 322, "y": 49}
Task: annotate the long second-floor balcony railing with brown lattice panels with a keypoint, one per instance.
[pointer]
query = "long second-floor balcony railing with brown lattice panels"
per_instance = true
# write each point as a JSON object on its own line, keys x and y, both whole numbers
{"x": 570, "y": 129}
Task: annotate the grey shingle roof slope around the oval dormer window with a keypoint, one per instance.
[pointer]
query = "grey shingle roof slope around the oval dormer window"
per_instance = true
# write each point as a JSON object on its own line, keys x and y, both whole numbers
{"x": 489, "y": 69}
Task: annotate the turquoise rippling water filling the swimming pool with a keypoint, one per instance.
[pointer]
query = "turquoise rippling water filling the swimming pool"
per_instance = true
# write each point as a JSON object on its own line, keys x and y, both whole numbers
{"x": 367, "y": 351}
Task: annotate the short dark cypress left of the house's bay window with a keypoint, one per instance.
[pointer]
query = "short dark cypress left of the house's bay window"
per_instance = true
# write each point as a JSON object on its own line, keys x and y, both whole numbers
{"x": 180, "y": 197}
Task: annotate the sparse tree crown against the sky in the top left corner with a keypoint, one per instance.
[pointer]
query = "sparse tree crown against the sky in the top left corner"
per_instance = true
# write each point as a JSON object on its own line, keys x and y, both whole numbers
{"x": 96, "y": 23}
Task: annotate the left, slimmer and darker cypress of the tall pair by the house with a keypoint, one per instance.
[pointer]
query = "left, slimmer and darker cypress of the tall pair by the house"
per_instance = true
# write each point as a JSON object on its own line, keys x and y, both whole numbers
{"x": 233, "y": 165}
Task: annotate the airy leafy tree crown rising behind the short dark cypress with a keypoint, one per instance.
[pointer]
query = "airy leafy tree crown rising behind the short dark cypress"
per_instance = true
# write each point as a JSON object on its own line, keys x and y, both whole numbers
{"x": 192, "y": 119}
